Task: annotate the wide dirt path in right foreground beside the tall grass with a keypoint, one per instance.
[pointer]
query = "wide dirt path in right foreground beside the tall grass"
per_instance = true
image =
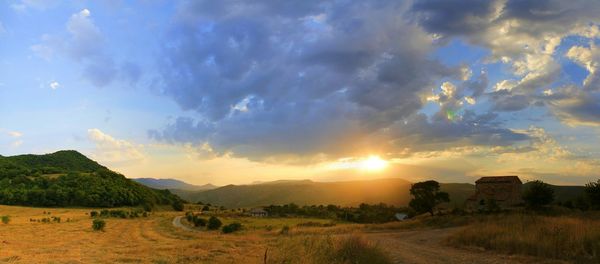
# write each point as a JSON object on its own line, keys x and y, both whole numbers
{"x": 427, "y": 247}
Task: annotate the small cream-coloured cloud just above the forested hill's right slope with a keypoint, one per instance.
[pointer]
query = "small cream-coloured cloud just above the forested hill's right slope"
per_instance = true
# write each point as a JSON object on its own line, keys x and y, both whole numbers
{"x": 114, "y": 151}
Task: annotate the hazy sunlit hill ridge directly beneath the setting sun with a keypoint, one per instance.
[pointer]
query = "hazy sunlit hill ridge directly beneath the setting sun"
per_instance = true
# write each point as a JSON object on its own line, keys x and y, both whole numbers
{"x": 350, "y": 193}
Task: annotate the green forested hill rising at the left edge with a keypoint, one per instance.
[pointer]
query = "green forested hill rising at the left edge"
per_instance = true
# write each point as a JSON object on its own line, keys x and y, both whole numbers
{"x": 68, "y": 178}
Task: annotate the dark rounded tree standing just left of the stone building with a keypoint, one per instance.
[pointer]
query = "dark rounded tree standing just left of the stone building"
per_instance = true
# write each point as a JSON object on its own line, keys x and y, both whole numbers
{"x": 427, "y": 196}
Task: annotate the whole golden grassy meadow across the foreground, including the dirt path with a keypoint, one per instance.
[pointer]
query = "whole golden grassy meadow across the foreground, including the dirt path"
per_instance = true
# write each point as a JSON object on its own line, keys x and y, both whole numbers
{"x": 478, "y": 238}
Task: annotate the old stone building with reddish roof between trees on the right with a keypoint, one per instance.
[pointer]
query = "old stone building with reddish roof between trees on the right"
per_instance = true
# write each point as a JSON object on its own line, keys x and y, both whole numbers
{"x": 505, "y": 191}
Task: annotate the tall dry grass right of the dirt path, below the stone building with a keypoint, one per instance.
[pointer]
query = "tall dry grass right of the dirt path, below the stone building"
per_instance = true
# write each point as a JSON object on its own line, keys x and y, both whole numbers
{"x": 565, "y": 237}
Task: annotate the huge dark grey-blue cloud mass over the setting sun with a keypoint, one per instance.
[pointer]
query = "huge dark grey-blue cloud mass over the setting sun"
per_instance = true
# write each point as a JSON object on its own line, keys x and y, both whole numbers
{"x": 331, "y": 78}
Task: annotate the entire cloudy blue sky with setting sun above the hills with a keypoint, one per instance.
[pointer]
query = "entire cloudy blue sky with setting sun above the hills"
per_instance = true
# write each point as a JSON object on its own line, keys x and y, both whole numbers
{"x": 235, "y": 92}
